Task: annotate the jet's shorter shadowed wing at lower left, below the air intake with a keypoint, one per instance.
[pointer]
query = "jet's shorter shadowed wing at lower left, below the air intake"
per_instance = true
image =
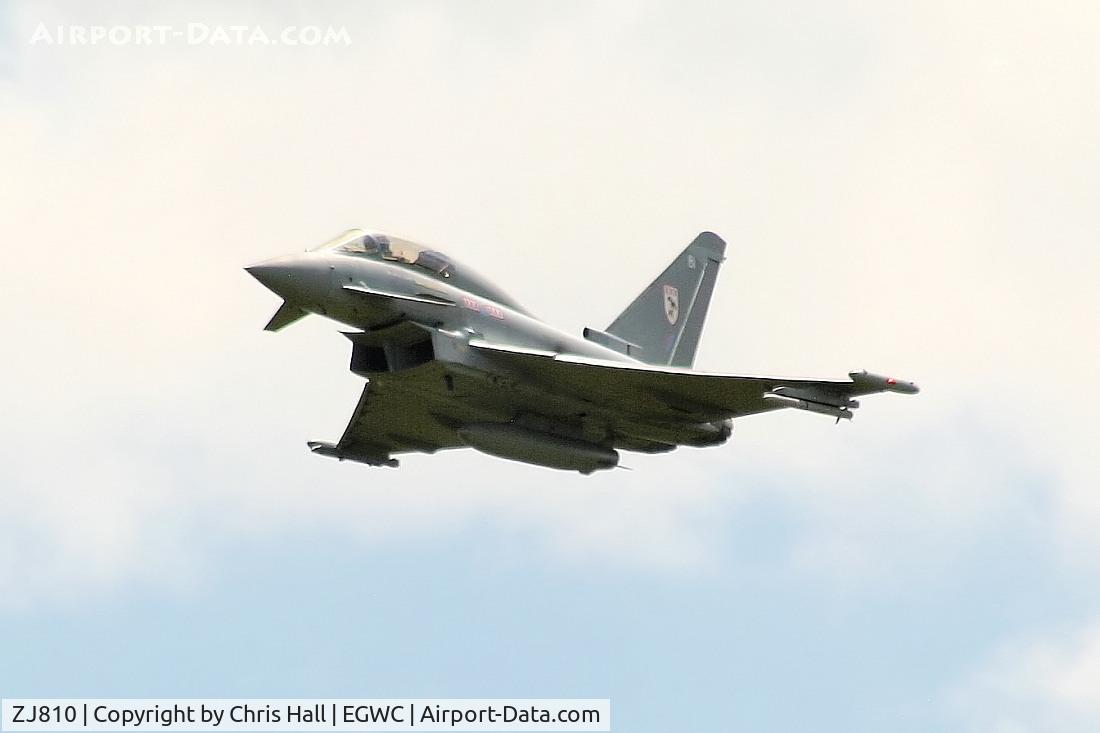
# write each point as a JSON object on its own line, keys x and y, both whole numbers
{"x": 394, "y": 417}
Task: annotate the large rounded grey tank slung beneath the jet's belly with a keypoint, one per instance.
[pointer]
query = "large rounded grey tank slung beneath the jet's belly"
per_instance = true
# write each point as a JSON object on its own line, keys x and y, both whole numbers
{"x": 520, "y": 444}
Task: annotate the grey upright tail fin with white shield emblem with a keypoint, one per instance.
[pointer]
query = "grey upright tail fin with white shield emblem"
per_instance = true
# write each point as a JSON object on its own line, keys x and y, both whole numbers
{"x": 664, "y": 324}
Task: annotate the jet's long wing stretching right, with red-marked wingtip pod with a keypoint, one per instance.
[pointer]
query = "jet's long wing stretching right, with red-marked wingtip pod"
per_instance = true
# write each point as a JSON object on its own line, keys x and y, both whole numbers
{"x": 683, "y": 396}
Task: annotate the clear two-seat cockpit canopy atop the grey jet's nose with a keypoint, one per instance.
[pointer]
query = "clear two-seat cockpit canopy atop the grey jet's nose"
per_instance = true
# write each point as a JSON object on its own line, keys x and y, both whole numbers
{"x": 378, "y": 246}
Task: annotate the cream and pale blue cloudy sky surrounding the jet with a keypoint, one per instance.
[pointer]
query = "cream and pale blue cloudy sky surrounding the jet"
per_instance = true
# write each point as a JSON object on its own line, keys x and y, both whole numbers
{"x": 905, "y": 188}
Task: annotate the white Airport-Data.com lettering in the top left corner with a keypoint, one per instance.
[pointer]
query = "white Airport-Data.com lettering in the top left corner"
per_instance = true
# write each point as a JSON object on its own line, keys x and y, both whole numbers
{"x": 192, "y": 35}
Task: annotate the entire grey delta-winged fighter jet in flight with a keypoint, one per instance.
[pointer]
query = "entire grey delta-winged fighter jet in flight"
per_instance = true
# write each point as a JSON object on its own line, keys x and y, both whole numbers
{"x": 453, "y": 362}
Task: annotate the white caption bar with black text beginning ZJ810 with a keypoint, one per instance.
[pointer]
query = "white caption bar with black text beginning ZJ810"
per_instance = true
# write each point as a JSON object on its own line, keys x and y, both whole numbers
{"x": 217, "y": 715}
